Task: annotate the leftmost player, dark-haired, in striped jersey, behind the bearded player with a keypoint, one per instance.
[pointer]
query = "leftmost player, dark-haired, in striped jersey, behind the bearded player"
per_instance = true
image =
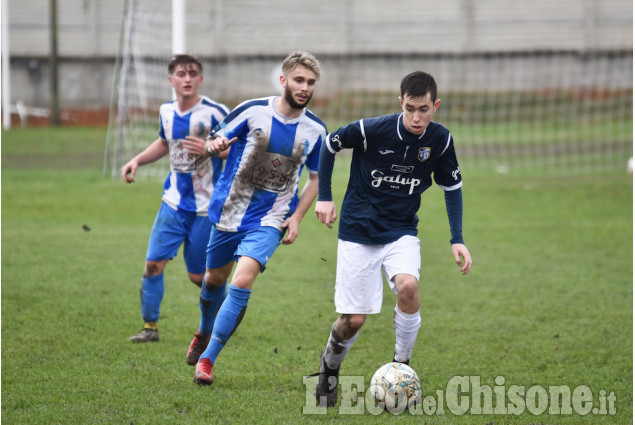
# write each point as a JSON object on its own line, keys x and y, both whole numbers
{"x": 182, "y": 217}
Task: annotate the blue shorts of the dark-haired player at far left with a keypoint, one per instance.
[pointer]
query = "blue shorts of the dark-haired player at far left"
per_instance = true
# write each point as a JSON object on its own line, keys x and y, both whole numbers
{"x": 173, "y": 228}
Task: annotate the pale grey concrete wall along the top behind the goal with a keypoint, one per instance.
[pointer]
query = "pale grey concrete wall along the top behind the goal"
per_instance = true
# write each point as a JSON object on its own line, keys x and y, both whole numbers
{"x": 89, "y": 33}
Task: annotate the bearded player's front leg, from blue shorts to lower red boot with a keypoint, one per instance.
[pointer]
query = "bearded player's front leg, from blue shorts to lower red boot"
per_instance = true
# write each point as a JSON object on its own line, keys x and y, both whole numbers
{"x": 253, "y": 252}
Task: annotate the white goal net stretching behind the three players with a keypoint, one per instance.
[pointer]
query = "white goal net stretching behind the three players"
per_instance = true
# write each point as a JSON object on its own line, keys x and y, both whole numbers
{"x": 518, "y": 106}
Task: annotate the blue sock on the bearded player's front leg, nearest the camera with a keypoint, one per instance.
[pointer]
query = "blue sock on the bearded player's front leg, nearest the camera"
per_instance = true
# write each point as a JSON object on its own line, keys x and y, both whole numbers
{"x": 227, "y": 320}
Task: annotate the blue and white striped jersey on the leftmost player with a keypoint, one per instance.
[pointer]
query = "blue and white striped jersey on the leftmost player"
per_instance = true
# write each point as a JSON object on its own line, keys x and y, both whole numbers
{"x": 190, "y": 183}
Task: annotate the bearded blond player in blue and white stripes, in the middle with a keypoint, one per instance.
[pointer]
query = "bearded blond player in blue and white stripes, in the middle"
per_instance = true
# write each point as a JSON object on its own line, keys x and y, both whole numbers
{"x": 256, "y": 200}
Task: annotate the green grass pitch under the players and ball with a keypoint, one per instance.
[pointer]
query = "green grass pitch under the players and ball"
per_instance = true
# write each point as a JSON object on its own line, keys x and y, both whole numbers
{"x": 548, "y": 302}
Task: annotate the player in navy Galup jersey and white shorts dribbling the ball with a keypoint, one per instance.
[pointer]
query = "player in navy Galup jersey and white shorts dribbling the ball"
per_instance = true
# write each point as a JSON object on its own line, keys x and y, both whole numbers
{"x": 394, "y": 157}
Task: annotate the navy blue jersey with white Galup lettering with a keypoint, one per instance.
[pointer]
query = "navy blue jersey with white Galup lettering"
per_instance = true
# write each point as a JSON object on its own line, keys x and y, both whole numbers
{"x": 390, "y": 169}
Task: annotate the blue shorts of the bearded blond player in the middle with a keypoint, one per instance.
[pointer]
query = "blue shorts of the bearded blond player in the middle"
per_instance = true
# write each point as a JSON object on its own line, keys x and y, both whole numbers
{"x": 259, "y": 244}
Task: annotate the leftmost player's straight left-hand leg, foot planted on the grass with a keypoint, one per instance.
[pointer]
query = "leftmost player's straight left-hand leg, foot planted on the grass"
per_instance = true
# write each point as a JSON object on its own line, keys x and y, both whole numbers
{"x": 168, "y": 233}
